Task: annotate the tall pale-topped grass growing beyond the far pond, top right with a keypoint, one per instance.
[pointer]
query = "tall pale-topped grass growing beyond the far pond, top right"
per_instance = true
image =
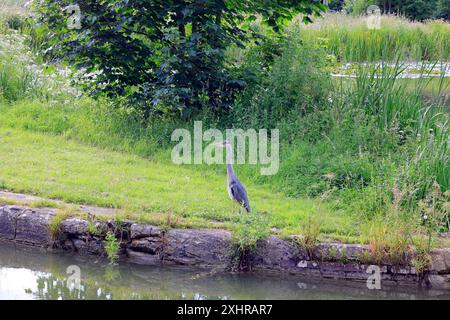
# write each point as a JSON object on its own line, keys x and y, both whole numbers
{"x": 350, "y": 40}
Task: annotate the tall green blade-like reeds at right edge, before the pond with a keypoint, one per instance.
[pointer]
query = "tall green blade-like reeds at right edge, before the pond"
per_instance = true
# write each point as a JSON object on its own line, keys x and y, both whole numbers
{"x": 420, "y": 128}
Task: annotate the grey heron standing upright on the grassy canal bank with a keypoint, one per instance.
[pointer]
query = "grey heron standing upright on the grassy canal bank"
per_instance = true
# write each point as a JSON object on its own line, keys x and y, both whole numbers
{"x": 235, "y": 189}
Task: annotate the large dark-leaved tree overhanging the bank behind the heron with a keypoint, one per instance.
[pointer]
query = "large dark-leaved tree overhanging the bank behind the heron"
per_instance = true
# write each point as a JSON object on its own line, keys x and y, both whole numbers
{"x": 164, "y": 55}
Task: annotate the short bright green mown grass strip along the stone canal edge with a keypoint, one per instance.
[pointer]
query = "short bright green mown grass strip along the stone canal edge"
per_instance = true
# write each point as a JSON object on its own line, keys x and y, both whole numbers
{"x": 55, "y": 167}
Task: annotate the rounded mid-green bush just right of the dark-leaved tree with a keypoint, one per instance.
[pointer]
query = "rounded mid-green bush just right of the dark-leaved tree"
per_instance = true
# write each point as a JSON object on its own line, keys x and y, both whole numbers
{"x": 297, "y": 85}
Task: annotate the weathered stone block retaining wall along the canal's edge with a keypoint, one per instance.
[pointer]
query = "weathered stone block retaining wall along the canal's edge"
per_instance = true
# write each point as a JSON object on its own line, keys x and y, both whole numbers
{"x": 150, "y": 245}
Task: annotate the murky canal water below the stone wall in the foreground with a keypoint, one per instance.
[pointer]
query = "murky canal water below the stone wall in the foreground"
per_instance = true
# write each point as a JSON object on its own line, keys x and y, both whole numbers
{"x": 27, "y": 273}
